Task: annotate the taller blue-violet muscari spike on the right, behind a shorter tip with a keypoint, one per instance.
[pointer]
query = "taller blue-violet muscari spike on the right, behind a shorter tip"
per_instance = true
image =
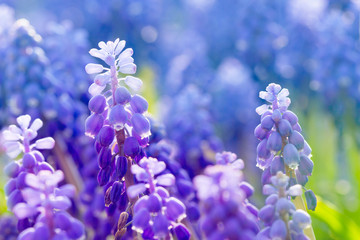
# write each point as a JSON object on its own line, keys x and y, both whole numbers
{"x": 281, "y": 142}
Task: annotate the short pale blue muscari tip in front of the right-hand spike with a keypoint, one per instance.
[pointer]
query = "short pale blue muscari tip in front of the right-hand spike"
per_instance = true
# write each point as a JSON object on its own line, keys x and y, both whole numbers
{"x": 279, "y": 215}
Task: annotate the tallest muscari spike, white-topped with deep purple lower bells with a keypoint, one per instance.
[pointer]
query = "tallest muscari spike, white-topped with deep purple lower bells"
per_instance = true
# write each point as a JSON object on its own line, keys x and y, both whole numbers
{"x": 118, "y": 123}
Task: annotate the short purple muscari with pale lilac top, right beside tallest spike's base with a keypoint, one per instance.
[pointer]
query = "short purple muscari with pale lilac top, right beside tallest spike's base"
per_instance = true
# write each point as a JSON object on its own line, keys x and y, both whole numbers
{"x": 156, "y": 214}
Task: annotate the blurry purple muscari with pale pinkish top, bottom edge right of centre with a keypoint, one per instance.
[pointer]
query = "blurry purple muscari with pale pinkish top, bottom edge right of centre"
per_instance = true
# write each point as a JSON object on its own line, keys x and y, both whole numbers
{"x": 223, "y": 203}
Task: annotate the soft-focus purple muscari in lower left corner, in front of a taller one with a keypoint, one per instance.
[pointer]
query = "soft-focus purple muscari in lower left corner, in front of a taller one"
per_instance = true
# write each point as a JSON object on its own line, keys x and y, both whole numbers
{"x": 47, "y": 203}
